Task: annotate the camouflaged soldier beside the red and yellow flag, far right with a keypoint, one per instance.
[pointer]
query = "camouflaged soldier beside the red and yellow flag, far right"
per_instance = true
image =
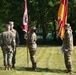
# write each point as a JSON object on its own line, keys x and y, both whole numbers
{"x": 68, "y": 47}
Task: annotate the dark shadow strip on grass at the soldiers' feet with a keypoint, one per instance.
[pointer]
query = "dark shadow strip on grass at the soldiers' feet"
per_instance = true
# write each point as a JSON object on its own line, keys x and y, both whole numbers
{"x": 39, "y": 70}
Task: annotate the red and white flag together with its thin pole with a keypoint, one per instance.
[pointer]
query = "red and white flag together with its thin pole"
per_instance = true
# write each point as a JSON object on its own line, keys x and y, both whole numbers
{"x": 25, "y": 28}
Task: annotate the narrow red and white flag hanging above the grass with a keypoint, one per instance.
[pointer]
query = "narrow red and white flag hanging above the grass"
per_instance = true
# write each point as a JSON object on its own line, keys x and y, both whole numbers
{"x": 25, "y": 17}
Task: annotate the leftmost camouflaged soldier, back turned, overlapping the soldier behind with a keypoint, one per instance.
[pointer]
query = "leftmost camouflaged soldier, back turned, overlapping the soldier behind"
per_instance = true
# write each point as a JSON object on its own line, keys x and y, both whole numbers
{"x": 7, "y": 44}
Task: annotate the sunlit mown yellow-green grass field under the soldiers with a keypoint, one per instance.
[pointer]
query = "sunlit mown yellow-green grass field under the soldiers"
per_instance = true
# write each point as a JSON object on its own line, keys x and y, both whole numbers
{"x": 50, "y": 61}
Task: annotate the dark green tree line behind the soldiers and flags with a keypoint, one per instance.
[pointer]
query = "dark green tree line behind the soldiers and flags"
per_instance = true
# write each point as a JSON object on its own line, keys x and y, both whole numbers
{"x": 41, "y": 13}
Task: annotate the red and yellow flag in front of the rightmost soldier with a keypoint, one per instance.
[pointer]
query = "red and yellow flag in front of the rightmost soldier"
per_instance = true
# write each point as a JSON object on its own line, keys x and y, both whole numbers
{"x": 62, "y": 17}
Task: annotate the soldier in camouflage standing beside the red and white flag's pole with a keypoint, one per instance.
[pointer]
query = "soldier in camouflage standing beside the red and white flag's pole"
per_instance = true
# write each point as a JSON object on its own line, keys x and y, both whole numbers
{"x": 31, "y": 41}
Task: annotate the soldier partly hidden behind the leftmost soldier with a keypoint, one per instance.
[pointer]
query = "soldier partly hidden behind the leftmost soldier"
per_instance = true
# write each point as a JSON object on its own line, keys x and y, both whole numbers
{"x": 16, "y": 38}
